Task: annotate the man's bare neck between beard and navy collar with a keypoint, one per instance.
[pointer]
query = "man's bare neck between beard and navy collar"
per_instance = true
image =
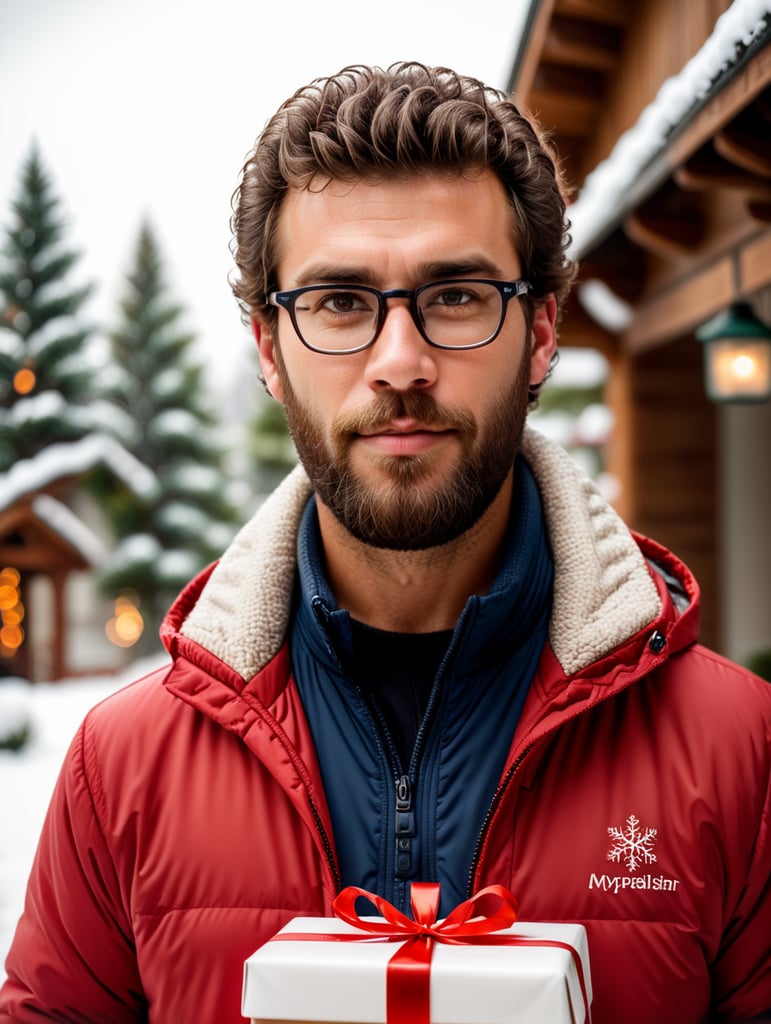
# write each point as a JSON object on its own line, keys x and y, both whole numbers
{"x": 414, "y": 591}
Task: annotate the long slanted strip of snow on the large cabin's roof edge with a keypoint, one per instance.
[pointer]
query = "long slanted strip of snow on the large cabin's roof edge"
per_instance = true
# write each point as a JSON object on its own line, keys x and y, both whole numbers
{"x": 619, "y": 184}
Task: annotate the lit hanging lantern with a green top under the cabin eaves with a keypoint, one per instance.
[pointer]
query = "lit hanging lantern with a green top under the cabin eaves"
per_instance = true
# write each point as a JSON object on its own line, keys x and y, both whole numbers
{"x": 738, "y": 356}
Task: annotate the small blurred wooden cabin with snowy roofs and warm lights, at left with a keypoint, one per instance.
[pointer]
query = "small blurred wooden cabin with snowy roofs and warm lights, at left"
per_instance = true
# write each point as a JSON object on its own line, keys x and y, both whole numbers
{"x": 54, "y": 540}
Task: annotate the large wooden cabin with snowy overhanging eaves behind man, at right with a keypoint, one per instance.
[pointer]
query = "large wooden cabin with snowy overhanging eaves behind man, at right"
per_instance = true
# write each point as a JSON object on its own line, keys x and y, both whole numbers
{"x": 661, "y": 112}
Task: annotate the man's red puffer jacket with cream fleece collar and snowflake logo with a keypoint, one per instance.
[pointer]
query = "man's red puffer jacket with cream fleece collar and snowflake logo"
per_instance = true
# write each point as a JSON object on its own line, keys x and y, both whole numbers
{"x": 189, "y": 823}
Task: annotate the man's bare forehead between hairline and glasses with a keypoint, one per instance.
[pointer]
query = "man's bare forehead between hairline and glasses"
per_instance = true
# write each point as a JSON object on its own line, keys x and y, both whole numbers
{"x": 390, "y": 233}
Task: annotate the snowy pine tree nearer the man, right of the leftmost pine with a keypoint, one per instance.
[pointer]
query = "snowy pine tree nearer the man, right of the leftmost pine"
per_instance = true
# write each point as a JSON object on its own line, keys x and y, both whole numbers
{"x": 158, "y": 386}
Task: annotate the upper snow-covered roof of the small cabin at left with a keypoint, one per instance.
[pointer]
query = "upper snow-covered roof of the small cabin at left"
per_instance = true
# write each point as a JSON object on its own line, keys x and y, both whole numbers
{"x": 74, "y": 459}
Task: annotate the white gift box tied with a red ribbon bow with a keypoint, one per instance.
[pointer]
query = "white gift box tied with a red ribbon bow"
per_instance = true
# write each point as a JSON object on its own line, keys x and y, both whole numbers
{"x": 316, "y": 980}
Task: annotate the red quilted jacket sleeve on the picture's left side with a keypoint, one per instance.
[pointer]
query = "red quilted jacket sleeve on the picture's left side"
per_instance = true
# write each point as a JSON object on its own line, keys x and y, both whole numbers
{"x": 73, "y": 957}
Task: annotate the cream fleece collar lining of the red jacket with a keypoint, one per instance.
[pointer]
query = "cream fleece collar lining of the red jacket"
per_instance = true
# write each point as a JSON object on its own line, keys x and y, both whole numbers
{"x": 604, "y": 592}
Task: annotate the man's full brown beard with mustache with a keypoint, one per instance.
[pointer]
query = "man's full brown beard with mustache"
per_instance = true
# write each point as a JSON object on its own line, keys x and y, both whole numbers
{"x": 403, "y": 513}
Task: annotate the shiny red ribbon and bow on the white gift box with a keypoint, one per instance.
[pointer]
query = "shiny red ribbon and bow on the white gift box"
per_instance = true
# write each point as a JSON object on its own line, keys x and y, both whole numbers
{"x": 408, "y": 975}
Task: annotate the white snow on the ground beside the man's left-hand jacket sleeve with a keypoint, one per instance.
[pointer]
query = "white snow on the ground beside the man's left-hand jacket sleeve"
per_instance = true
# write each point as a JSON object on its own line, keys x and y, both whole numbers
{"x": 28, "y": 778}
